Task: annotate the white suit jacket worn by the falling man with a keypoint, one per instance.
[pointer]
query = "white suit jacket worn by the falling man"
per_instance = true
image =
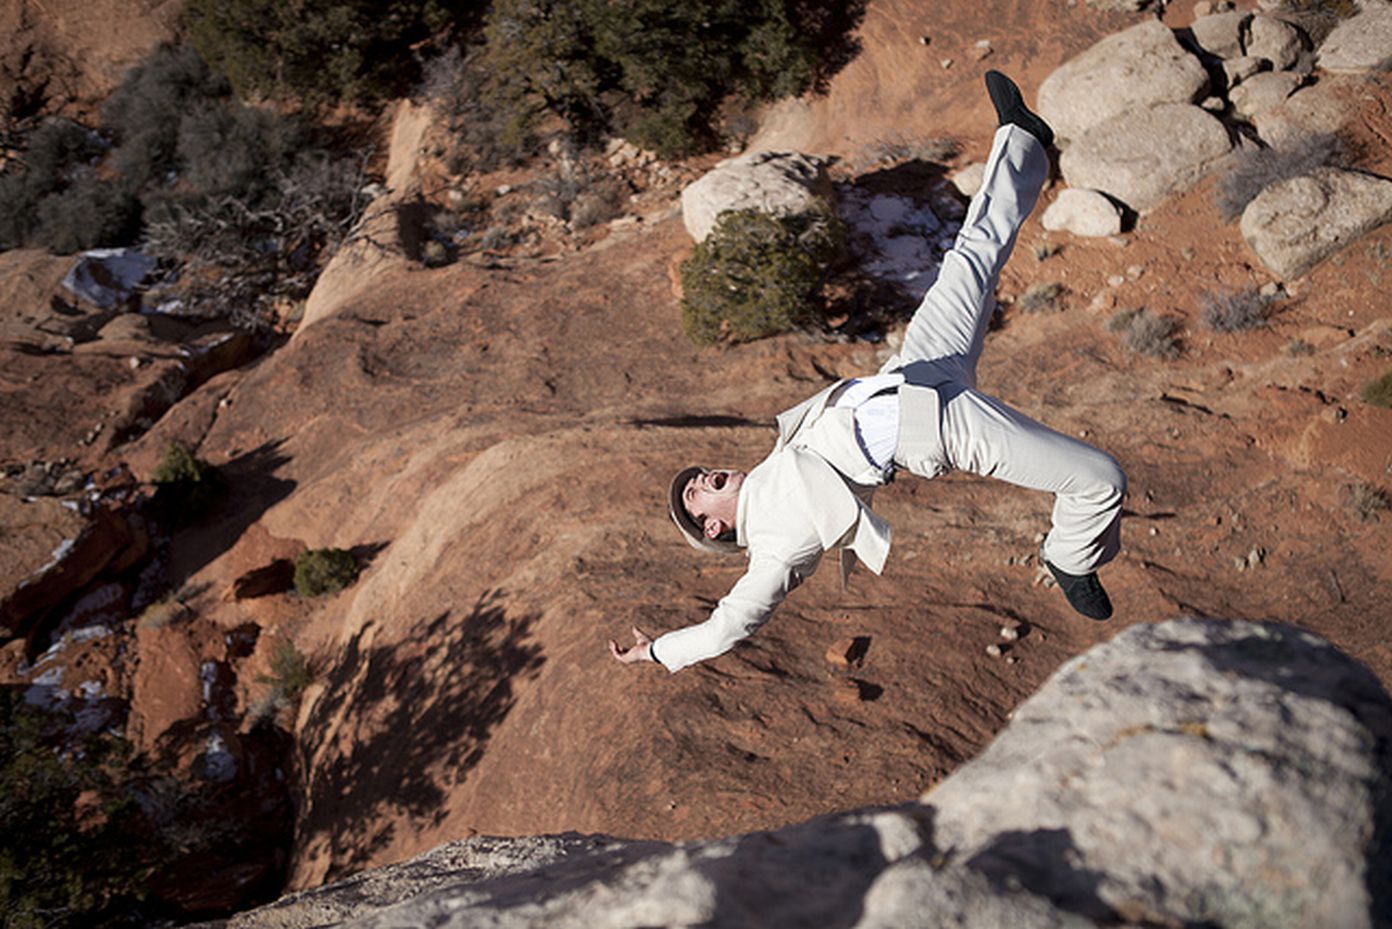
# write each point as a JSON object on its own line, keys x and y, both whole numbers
{"x": 812, "y": 494}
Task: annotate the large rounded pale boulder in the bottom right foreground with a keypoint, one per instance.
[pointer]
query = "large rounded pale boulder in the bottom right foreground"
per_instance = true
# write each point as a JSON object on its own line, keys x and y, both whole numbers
{"x": 1189, "y": 774}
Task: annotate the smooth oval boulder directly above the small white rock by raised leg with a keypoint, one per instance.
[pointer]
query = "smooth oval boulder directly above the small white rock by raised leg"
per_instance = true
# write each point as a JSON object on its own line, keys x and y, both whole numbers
{"x": 1145, "y": 155}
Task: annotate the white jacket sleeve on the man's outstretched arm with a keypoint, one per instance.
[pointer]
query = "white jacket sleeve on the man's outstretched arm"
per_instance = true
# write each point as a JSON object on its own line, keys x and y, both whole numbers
{"x": 740, "y": 614}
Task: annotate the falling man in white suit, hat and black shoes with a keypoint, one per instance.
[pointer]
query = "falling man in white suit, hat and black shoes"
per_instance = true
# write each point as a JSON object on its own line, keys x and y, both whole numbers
{"x": 922, "y": 414}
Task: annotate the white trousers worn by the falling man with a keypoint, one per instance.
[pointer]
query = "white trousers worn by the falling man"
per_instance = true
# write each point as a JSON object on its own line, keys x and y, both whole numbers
{"x": 981, "y": 434}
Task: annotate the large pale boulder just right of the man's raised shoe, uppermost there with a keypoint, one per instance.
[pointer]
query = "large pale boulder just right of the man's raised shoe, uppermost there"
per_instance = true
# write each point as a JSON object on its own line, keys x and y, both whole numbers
{"x": 1139, "y": 68}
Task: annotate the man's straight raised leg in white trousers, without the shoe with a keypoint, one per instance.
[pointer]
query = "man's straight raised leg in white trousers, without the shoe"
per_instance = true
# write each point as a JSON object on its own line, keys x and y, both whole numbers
{"x": 954, "y": 315}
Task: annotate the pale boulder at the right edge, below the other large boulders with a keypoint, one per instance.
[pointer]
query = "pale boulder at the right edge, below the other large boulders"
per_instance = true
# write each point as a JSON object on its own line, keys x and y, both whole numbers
{"x": 1295, "y": 225}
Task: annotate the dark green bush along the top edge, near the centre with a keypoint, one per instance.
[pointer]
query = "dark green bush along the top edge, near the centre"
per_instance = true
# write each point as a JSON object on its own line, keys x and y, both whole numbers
{"x": 655, "y": 72}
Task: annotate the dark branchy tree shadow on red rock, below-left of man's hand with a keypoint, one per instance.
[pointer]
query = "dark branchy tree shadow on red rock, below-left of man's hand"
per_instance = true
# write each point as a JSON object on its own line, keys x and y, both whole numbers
{"x": 411, "y": 719}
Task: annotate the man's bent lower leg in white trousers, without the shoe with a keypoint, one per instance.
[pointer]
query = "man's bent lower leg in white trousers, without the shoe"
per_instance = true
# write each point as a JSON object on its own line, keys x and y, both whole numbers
{"x": 985, "y": 437}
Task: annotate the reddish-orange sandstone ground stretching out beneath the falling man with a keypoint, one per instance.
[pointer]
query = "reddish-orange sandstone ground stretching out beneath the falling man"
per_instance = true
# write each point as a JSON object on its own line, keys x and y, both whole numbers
{"x": 493, "y": 439}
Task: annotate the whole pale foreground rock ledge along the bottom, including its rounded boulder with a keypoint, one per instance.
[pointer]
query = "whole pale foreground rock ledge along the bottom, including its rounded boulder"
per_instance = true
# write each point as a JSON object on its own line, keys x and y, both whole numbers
{"x": 1188, "y": 772}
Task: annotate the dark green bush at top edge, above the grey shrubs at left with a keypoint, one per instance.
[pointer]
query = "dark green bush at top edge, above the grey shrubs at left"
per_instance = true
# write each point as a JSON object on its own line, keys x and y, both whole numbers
{"x": 318, "y": 51}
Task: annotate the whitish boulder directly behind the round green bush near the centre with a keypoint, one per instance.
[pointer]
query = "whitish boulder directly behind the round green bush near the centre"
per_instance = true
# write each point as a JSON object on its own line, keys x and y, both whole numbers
{"x": 777, "y": 183}
